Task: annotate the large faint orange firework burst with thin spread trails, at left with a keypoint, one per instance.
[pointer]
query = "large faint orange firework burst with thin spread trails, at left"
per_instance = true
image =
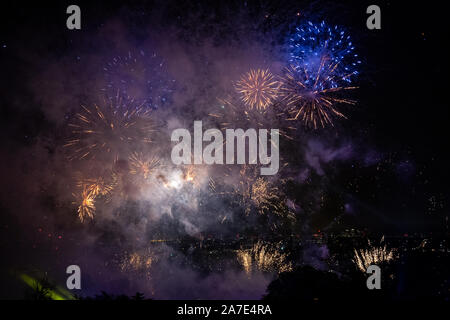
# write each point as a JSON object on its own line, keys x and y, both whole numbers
{"x": 108, "y": 129}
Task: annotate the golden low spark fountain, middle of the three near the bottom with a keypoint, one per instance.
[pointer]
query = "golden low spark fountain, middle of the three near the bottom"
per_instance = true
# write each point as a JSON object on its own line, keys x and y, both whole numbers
{"x": 264, "y": 257}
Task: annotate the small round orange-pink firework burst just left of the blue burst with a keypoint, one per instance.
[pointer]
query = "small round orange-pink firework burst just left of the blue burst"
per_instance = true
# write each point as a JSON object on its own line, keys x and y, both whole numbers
{"x": 258, "y": 89}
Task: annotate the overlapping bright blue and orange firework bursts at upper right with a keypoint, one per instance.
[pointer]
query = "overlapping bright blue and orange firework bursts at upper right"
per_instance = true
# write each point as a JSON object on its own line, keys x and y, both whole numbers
{"x": 321, "y": 71}
